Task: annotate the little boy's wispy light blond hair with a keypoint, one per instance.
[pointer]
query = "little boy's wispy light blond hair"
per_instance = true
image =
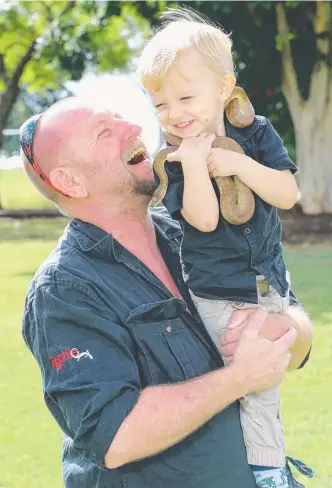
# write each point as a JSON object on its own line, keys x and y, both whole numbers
{"x": 183, "y": 28}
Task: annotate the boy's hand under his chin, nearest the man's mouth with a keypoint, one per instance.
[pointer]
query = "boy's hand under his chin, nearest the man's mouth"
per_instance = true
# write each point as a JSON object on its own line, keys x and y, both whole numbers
{"x": 193, "y": 149}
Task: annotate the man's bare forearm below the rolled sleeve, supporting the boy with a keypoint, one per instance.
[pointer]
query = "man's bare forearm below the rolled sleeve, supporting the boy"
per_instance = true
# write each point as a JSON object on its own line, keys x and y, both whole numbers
{"x": 166, "y": 414}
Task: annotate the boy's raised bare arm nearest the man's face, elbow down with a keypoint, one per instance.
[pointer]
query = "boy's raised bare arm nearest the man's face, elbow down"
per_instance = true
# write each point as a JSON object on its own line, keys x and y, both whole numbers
{"x": 200, "y": 205}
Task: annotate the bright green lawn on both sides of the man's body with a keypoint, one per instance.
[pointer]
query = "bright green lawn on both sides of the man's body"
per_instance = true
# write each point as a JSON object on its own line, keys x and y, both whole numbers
{"x": 30, "y": 447}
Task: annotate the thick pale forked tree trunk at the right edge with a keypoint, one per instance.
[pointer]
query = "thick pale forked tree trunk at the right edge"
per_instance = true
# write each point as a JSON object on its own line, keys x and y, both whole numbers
{"x": 312, "y": 118}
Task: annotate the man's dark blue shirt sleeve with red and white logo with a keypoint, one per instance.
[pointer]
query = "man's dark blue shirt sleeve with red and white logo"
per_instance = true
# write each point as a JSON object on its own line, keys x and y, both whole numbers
{"x": 90, "y": 376}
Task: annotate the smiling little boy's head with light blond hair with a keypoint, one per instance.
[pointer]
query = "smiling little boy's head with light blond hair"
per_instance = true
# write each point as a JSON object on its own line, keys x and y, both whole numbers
{"x": 187, "y": 70}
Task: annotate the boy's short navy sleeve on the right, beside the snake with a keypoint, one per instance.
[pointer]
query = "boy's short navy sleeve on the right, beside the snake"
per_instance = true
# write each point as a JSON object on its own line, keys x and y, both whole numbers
{"x": 271, "y": 150}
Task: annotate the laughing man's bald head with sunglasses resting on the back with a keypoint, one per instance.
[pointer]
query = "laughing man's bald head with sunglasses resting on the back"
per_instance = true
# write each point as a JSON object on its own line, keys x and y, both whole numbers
{"x": 82, "y": 156}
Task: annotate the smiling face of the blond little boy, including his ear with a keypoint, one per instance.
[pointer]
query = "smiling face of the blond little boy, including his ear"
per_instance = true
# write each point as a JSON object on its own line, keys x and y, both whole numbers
{"x": 192, "y": 96}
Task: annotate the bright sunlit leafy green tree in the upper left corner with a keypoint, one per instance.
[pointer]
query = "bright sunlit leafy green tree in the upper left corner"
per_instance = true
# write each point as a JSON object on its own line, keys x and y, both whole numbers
{"x": 43, "y": 44}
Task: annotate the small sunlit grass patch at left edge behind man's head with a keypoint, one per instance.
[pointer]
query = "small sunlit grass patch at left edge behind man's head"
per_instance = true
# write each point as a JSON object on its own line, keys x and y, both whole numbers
{"x": 17, "y": 192}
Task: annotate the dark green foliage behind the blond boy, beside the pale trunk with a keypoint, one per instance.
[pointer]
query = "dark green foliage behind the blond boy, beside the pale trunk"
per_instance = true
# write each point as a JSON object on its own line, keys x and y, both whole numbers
{"x": 257, "y": 48}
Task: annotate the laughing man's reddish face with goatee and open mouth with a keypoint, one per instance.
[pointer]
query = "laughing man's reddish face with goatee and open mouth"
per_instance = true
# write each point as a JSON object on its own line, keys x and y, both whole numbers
{"x": 115, "y": 155}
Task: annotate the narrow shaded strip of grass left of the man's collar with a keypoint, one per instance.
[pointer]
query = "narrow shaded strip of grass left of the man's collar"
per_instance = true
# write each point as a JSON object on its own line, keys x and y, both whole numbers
{"x": 32, "y": 229}
